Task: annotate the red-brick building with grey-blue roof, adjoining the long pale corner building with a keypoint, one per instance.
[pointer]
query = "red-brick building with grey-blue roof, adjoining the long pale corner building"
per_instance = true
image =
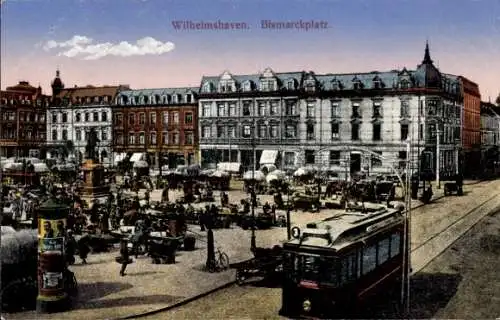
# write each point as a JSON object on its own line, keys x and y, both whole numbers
{"x": 161, "y": 123}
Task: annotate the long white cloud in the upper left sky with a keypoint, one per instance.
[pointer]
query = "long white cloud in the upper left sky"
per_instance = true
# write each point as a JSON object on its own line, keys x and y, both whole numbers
{"x": 85, "y": 48}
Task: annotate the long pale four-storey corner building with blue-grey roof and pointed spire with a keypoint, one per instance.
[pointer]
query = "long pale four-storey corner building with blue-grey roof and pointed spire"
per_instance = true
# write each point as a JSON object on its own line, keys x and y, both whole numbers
{"x": 301, "y": 118}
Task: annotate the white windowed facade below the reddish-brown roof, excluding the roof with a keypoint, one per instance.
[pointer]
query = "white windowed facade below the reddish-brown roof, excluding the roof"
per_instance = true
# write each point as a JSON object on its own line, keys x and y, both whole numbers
{"x": 73, "y": 123}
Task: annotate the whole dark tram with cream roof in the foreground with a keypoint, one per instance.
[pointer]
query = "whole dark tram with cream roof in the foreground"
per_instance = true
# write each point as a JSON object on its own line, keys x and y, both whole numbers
{"x": 332, "y": 266}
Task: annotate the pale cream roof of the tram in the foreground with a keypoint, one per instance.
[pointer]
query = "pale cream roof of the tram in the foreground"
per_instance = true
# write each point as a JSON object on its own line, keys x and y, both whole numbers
{"x": 343, "y": 229}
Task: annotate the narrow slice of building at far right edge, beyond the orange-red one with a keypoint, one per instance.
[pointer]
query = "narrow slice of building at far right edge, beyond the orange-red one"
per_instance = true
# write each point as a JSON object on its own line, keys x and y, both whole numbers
{"x": 490, "y": 137}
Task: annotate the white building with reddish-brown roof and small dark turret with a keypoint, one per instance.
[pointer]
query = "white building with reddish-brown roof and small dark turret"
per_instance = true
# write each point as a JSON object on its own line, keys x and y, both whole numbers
{"x": 74, "y": 111}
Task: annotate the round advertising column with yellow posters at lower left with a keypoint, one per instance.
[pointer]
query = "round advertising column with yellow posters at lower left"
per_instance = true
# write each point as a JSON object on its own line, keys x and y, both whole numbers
{"x": 52, "y": 296}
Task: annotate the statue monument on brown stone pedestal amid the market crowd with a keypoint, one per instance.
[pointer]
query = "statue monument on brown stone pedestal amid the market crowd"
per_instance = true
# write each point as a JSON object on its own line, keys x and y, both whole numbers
{"x": 94, "y": 186}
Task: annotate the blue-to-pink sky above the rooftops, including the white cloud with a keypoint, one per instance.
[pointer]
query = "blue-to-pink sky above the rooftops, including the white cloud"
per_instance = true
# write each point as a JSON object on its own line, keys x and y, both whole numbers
{"x": 135, "y": 42}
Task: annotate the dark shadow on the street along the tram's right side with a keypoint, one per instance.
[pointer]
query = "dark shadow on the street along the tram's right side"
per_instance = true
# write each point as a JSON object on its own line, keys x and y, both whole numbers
{"x": 429, "y": 293}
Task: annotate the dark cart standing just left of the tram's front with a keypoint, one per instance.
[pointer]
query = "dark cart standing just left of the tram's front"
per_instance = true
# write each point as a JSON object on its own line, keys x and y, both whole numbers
{"x": 266, "y": 262}
